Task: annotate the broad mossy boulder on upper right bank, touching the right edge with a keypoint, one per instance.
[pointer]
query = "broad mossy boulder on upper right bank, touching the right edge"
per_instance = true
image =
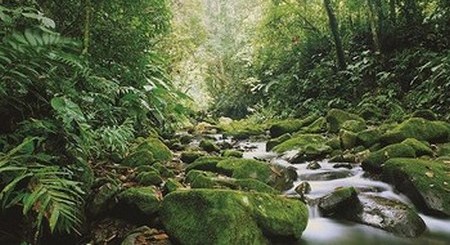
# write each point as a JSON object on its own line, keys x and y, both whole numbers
{"x": 420, "y": 129}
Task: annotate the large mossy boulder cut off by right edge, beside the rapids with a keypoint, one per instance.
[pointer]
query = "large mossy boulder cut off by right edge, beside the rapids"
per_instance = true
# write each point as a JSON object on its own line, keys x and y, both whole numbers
{"x": 424, "y": 182}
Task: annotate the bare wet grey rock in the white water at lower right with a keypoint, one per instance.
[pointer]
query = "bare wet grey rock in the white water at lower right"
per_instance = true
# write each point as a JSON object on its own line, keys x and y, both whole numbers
{"x": 389, "y": 215}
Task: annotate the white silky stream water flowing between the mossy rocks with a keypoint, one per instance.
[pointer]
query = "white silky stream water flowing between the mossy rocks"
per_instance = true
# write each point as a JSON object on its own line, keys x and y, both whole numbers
{"x": 321, "y": 230}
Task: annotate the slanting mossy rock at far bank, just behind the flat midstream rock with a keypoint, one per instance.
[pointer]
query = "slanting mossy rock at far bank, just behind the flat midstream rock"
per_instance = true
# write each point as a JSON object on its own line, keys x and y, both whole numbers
{"x": 291, "y": 125}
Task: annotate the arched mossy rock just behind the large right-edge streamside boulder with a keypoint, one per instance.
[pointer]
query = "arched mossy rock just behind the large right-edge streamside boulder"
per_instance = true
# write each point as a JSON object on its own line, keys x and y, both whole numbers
{"x": 375, "y": 160}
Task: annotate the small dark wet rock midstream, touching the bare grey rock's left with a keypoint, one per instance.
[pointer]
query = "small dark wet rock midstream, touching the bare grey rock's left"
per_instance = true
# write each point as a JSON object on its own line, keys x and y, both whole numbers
{"x": 340, "y": 202}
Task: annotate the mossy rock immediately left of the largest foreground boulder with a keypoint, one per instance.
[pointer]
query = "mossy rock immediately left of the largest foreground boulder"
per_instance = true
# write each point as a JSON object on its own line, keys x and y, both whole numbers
{"x": 145, "y": 199}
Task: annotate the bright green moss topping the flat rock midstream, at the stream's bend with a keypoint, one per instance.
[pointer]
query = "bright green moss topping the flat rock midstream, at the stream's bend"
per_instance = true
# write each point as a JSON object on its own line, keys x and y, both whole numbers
{"x": 300, "y": 141}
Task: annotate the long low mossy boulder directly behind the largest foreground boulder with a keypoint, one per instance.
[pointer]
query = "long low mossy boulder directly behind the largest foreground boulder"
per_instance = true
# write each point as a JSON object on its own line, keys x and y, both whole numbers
{"x": 278, "y": 177}
